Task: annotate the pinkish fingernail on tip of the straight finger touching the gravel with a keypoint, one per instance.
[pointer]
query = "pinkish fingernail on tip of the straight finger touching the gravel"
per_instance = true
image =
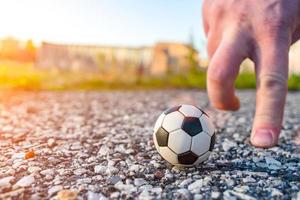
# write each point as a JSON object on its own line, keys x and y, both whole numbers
{"x": 263, "y": 138}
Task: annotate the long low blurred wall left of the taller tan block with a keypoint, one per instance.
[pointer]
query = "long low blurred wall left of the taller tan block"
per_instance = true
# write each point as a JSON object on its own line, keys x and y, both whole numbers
{"x": 95, "y": 58}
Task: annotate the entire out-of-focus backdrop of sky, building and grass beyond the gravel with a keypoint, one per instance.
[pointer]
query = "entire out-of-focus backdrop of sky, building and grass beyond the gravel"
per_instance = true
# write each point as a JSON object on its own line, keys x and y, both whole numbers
{"x": 109, "y": 44}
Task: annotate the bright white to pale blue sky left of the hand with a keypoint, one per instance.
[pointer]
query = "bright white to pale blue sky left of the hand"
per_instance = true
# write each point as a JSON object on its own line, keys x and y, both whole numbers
{"x": 112, "y": 22}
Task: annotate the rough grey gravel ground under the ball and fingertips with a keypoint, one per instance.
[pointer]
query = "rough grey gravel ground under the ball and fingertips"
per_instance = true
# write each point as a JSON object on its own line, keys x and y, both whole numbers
{"x": 98, "y": 145}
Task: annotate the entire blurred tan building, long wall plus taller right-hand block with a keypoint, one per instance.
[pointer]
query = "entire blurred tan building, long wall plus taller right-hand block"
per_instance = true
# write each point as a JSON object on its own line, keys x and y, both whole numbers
{"x": 156, "y": 60}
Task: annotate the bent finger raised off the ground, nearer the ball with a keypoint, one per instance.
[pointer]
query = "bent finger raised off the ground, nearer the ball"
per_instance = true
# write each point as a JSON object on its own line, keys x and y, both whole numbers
{"x": 223, "y": 70}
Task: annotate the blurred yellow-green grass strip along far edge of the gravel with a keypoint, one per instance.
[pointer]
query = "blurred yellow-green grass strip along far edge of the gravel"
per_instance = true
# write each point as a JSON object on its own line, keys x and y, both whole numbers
{"x": 27, "y": 77}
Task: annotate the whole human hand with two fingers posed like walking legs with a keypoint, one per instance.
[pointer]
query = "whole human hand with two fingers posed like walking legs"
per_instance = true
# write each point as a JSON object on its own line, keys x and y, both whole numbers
{"x": 262, "y": 31}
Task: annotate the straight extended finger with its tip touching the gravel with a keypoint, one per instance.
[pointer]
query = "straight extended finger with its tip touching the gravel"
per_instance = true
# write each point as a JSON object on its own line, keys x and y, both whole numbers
{"x": 272, "y": 76}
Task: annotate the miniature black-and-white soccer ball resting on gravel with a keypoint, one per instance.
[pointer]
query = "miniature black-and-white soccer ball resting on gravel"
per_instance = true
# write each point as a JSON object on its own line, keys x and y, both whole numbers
{"x": 184, "y": 135}
